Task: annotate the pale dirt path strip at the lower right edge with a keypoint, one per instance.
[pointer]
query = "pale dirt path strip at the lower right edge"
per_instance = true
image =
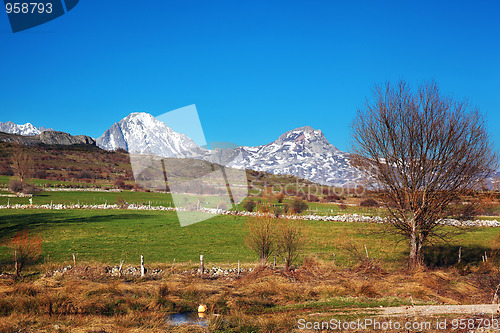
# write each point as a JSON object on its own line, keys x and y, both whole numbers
{"x": 426, "y": 310}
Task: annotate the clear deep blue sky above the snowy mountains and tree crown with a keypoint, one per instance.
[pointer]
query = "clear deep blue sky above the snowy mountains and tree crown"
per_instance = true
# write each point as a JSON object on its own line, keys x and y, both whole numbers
{"x": 254, "y": 69}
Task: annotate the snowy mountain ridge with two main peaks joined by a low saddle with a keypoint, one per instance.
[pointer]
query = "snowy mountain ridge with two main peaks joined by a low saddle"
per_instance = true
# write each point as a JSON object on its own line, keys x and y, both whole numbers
{"x": 303, "y": 152}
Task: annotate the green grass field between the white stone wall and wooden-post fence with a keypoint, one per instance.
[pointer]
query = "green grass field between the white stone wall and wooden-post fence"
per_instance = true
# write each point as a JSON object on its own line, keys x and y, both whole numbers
{"x": 108, "y": 236}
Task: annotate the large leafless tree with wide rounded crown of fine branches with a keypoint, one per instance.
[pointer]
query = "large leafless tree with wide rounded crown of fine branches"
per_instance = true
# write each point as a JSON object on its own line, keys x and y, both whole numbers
{"x": 422, "y": 150}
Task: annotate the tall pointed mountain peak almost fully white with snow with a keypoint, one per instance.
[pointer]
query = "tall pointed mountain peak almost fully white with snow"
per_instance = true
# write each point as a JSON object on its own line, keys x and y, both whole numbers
{"x": 142, "y": 133}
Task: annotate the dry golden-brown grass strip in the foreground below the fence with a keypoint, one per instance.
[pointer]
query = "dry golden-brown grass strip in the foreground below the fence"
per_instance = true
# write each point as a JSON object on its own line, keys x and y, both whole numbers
{"x": 266, "y": 300}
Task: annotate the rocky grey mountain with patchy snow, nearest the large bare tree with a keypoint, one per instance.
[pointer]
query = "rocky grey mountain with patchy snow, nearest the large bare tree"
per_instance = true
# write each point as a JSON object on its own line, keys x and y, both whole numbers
{"x": 303, "y": 152}
